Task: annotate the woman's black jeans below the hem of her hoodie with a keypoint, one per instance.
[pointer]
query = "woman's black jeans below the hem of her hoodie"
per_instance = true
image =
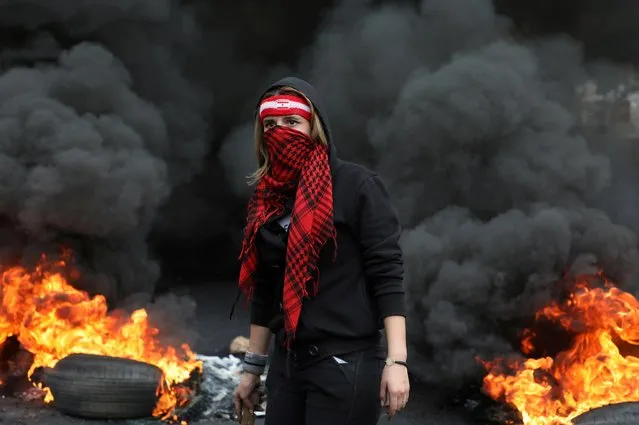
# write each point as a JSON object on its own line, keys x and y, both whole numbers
{"x": 342, "y": 391}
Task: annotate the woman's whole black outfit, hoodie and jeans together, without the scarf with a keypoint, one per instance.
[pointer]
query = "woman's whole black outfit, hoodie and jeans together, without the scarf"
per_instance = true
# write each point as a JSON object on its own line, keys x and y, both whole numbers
{"x": 360, "y": 284}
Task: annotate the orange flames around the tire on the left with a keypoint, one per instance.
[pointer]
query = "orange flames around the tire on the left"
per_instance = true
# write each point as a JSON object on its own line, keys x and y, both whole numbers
{"x": 52, "y": 319}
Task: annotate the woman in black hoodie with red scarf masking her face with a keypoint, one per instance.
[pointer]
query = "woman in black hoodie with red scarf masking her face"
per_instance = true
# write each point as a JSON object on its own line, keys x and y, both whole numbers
{"x": 322, "y": 265}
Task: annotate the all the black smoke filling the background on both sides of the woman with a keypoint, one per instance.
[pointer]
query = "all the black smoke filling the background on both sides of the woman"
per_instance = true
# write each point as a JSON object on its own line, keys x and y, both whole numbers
{"x": 126, "y": 135}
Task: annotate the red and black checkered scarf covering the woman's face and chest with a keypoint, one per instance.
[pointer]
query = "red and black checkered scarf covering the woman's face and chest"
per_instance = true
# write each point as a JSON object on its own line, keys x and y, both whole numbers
{"x": 299, "y": 166}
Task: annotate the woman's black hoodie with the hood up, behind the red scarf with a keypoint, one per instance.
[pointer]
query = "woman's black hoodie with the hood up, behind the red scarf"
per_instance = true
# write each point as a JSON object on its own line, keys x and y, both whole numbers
{"x": 358, "y": 287}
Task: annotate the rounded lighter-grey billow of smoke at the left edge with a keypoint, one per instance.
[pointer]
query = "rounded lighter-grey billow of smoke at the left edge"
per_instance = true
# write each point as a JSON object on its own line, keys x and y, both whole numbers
{"x": 91, "y": 166}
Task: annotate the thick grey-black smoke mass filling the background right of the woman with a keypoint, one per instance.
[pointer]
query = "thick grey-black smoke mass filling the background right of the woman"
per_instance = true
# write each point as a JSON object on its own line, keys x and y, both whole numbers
{"x": 475, "y": 133}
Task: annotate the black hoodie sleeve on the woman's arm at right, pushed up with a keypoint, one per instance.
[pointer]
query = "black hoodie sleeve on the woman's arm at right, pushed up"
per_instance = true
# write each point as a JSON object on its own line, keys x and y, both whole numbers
{"x": 379, "y": 233}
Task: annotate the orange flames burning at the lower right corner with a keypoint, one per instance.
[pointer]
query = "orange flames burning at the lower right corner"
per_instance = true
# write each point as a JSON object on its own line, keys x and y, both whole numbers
{"x": 591, "y": 374}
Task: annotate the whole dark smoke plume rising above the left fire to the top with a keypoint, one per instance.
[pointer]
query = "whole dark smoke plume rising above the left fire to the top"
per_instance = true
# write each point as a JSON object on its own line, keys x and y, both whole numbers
{"x": 100, "y": 121}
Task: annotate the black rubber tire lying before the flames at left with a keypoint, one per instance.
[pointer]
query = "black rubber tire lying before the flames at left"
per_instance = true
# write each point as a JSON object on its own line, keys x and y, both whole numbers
{"x": 101, "y": 387}
